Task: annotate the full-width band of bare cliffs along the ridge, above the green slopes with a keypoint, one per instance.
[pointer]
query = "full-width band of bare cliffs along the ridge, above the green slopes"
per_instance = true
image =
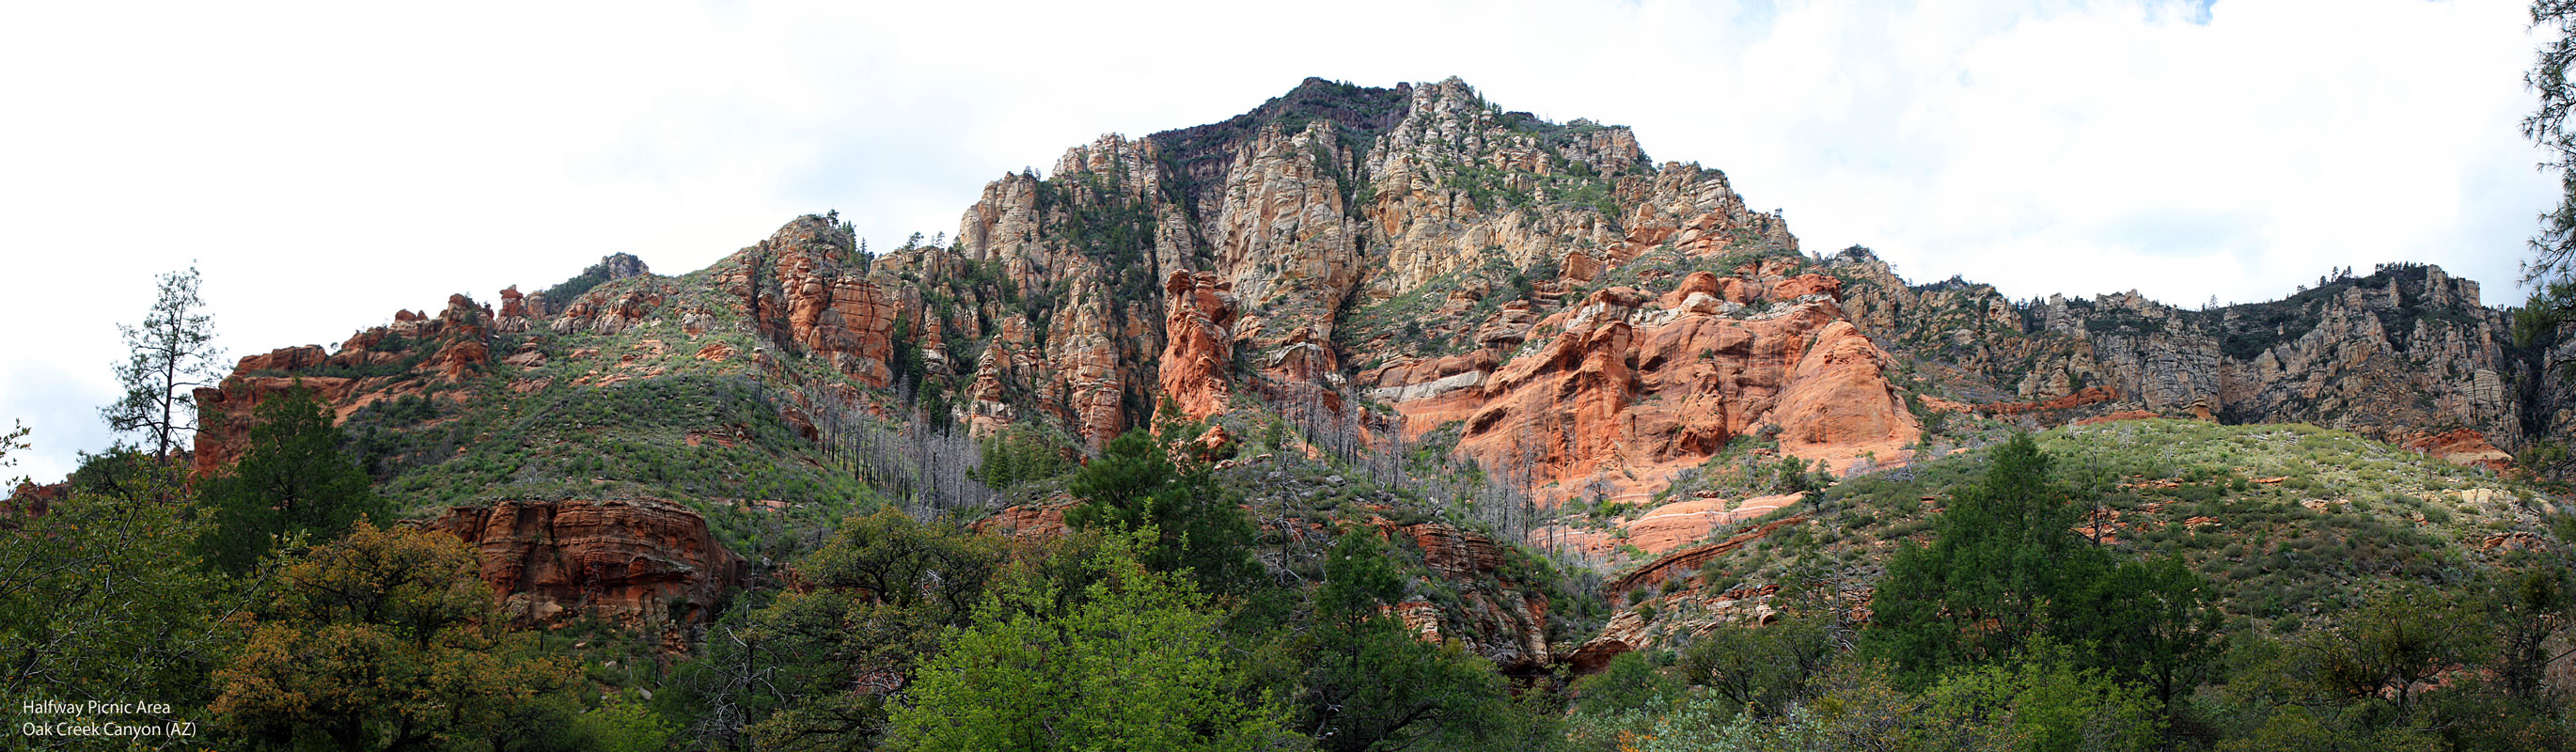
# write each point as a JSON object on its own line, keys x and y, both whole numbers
{"x": 1431, "y": 264}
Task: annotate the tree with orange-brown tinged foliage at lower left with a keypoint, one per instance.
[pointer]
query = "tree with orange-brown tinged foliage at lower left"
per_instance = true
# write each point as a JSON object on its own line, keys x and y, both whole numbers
{"x": 385, "y": 640}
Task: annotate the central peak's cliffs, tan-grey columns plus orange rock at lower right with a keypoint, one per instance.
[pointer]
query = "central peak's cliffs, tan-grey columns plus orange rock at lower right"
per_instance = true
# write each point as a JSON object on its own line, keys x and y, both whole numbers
{"x": 1276, "y": 228}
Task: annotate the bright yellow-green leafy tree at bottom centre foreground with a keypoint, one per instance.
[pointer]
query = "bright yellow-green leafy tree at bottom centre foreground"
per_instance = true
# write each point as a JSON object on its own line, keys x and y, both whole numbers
{"x": 1130, "y": 663}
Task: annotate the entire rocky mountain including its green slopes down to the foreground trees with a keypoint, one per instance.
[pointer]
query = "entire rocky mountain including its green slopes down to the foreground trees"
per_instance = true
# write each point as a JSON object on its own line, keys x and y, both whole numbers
{"x": 1604, "y": 411}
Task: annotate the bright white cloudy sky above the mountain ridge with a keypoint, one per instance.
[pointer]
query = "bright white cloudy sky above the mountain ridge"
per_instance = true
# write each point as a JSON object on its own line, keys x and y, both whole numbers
{"x": 331, "y": 164}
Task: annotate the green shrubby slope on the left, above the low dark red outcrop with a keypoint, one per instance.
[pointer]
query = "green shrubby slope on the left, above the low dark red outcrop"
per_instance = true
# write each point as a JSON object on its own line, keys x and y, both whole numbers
{"x": 486, "y": 439}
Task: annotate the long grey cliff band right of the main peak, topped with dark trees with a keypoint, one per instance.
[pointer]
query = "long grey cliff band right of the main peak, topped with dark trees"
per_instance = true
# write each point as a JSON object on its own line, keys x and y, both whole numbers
{"x": 2400, "y": 354}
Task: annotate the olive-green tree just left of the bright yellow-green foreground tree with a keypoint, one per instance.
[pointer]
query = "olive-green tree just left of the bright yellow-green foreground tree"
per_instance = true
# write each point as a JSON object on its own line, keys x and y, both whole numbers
{"x": 880, "y": 596}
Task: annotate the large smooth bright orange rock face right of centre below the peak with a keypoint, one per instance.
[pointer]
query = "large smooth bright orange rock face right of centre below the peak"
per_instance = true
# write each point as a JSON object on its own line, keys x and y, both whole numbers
{"x": 1624, "y": 390}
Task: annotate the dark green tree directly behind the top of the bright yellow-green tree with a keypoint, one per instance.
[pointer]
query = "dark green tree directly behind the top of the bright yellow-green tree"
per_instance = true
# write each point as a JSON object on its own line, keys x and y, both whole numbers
{"x": 1137, "y": 485}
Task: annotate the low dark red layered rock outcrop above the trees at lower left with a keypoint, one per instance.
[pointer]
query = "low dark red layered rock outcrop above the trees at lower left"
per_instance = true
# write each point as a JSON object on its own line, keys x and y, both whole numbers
{"x": 625, "y": 560}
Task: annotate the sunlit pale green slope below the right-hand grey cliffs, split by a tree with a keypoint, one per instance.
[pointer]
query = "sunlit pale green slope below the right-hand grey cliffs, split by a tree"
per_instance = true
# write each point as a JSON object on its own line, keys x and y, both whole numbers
{"x": 2348, "y": 516}
